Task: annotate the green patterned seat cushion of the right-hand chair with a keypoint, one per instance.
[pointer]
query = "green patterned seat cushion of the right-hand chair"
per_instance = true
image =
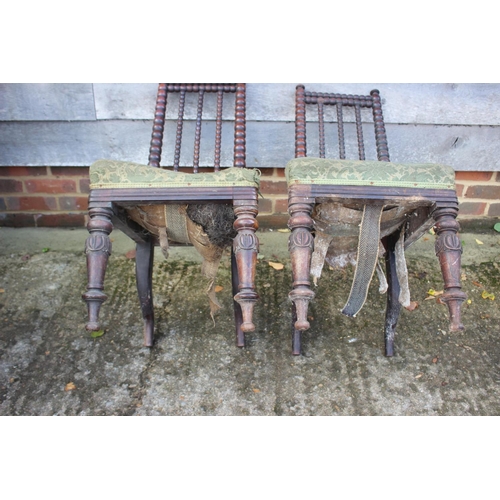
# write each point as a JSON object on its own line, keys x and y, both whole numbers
{"x": 369, "y": 173}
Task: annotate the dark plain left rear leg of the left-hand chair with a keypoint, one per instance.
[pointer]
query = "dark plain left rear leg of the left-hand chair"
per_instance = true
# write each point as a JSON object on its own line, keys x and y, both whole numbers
{"x": 144, "y": 276}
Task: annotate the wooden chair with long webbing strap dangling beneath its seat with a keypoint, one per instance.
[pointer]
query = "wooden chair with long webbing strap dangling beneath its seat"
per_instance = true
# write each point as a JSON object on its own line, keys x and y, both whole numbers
{"x": 378, "y": 206}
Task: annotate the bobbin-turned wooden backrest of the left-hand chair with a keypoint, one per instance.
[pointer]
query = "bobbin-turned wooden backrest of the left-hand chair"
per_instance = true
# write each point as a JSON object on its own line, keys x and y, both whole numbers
{"x": 198, "y": 91}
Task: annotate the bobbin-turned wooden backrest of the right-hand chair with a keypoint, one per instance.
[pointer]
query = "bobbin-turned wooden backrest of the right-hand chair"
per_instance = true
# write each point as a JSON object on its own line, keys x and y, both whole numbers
{"x": 340, "y": 101}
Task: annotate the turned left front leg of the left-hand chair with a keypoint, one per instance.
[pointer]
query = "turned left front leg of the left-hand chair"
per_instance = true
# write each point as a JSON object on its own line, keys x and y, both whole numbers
{"x": 97, "y": 249}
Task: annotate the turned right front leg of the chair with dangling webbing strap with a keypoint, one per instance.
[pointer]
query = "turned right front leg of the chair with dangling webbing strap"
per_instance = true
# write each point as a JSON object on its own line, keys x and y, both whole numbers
{"x": 449, "y": 251}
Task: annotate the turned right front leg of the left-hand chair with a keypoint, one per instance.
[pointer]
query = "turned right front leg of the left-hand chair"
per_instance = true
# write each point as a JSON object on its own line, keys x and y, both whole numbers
{"x": 246, "y": 248}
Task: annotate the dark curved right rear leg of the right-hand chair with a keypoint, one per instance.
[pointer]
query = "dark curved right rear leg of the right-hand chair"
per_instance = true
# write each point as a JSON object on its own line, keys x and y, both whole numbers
{"x": 393, "y": 305}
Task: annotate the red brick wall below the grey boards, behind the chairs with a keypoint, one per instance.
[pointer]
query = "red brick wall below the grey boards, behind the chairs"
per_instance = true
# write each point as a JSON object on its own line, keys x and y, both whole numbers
{"x": 57, "y": 196}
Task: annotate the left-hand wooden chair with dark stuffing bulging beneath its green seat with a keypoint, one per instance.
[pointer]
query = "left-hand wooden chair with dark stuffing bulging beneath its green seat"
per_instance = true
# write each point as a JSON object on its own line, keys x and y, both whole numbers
{"x": 156, "y": 205}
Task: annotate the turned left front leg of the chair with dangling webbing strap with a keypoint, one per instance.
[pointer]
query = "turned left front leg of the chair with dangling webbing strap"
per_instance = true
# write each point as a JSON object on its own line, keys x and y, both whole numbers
{"x": 300, "y": 247}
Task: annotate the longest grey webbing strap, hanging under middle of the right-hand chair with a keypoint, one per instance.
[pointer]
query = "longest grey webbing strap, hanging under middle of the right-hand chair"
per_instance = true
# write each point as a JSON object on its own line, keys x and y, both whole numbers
{"x": 369, "y": 236}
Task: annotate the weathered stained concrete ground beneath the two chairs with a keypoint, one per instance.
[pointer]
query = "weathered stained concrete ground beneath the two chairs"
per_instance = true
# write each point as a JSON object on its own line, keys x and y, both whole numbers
{"x": 195, "y": 368}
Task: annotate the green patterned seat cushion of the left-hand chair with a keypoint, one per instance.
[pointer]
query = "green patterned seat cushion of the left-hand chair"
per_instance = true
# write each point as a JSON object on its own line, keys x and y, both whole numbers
{"x": 105, "y": 174}
